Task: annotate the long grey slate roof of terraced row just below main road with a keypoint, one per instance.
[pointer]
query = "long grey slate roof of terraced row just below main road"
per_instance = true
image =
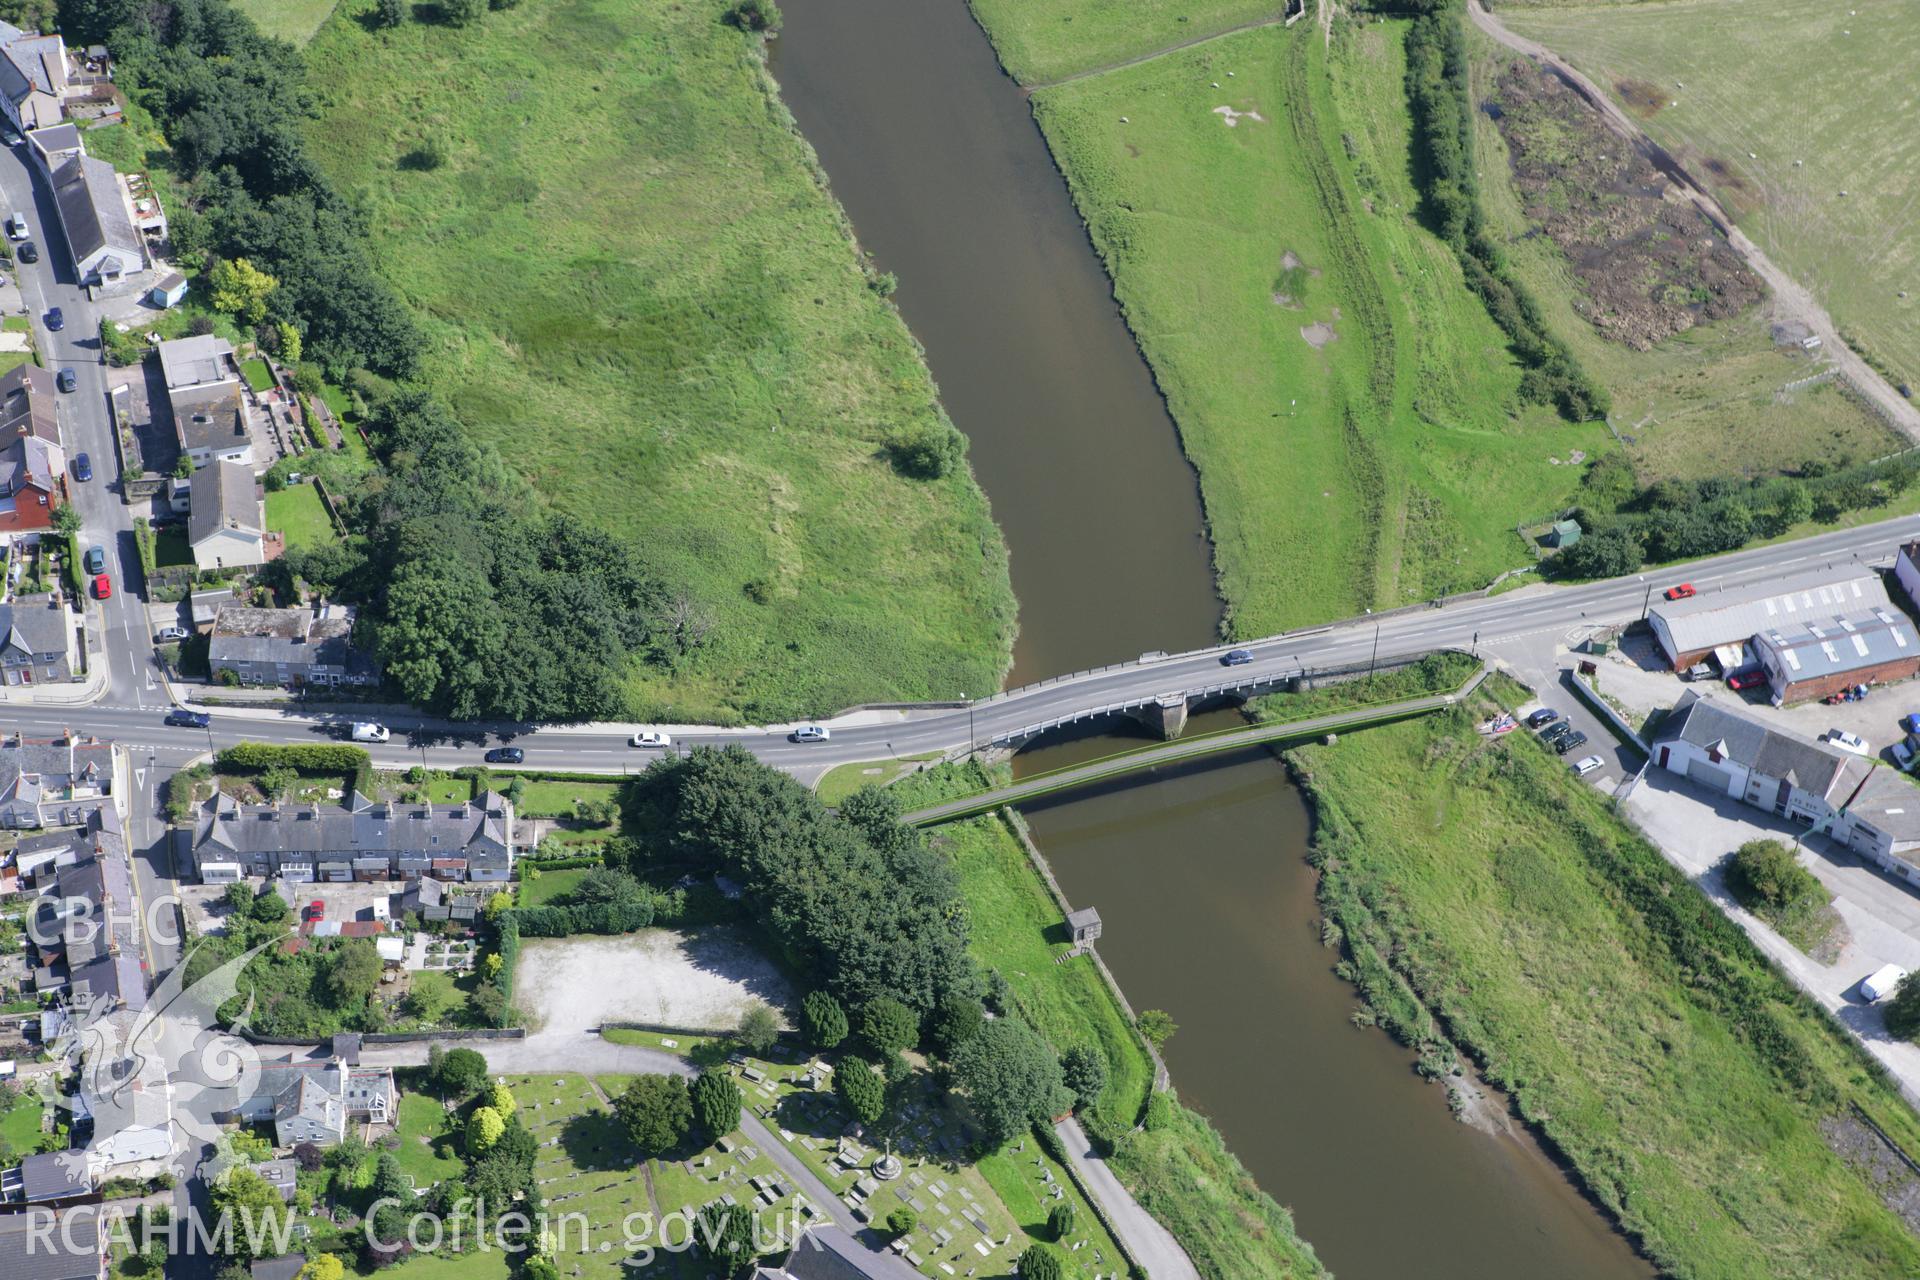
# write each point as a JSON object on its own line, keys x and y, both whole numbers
{"x": 366, "y": 828}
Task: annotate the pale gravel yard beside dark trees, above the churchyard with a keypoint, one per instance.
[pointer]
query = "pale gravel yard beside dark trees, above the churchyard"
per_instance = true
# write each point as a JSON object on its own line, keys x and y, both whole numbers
{"x": 658, "y": 976}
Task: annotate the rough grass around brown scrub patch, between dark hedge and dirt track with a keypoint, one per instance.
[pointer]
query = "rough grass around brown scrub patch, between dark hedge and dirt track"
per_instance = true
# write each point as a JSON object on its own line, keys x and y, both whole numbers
{"x": 1702, "y": 404}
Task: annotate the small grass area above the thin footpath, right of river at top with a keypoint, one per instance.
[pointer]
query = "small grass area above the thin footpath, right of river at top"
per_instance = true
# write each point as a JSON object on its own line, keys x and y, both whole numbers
{"x": 1044, "y": 41}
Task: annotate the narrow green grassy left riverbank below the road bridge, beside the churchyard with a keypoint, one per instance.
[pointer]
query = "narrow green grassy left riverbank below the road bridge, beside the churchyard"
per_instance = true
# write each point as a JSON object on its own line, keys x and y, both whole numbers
{"x": 1176, "y": 1164}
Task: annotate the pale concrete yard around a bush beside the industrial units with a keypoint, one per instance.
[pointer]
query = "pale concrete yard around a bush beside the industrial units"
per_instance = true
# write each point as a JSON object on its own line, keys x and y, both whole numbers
{"x": 1696, "y": 830}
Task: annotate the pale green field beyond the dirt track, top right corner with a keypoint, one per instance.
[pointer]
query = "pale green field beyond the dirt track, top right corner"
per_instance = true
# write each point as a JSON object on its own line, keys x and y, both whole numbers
{"x": 1804, "y": 130}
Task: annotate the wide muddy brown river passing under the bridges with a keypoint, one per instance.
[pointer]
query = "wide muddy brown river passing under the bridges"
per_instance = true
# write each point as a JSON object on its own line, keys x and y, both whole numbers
{"x": 1199, "y": 874}
